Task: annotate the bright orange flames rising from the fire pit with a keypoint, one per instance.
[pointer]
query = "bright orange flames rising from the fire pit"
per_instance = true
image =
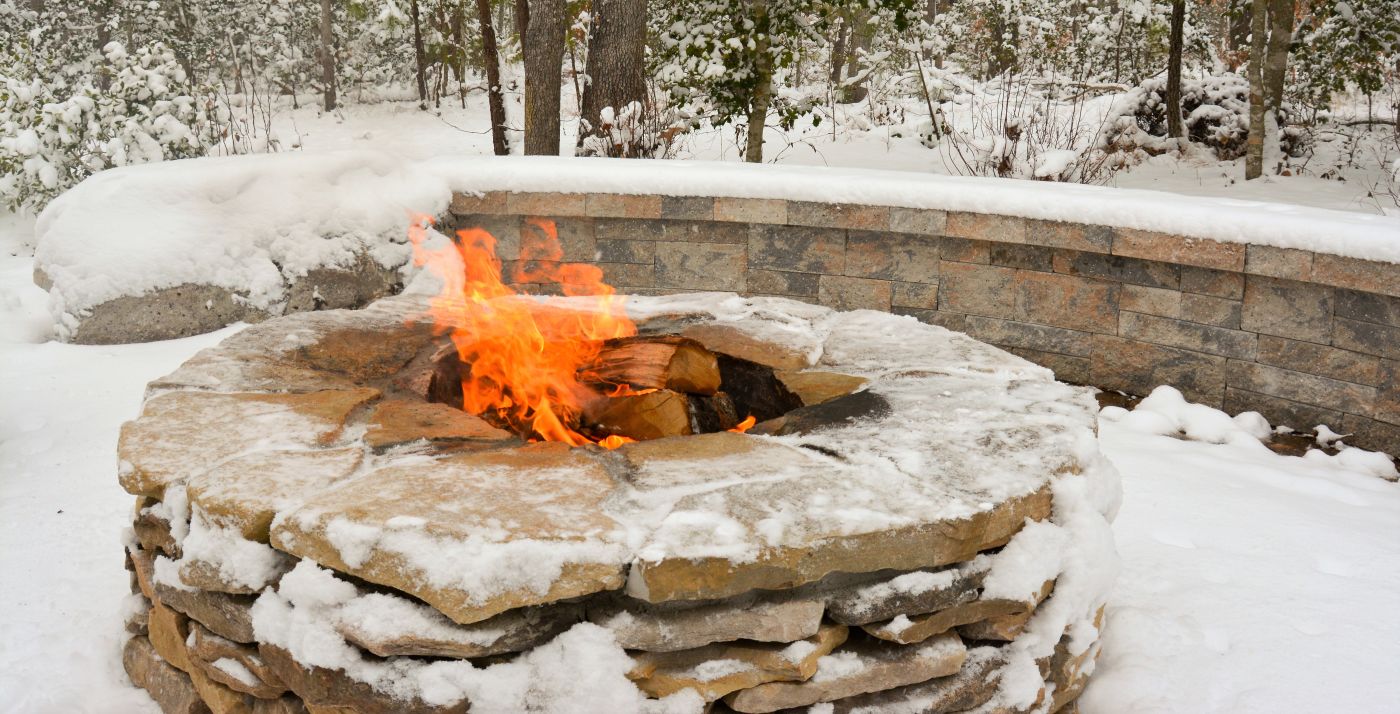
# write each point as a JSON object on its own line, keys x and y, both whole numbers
{"x": 524, "y": 358}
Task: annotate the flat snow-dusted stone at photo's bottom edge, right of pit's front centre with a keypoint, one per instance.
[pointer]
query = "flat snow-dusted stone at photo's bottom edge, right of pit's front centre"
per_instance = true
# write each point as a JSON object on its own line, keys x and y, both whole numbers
{"x": 880, "y": 668}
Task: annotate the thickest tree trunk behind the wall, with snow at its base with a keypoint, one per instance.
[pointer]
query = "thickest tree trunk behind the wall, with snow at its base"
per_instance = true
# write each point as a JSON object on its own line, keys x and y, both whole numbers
{"x": 617, "y": 73}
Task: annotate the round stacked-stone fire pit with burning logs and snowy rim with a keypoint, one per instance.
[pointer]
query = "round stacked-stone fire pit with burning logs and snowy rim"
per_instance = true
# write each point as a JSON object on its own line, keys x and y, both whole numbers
{"x": 499, "y": 503}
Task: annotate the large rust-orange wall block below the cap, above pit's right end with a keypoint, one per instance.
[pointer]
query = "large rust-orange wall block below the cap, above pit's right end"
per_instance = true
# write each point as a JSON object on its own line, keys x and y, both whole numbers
{"x": 1067, "y": 302}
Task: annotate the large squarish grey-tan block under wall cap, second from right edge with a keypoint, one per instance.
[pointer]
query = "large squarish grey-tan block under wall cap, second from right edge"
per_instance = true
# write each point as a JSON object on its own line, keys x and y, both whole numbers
{"x": 1289, "y": 309}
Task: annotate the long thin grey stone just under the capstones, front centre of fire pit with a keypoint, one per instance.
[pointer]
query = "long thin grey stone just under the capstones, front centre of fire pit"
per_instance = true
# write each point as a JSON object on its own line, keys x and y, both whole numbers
{"x": 670, "y": 631}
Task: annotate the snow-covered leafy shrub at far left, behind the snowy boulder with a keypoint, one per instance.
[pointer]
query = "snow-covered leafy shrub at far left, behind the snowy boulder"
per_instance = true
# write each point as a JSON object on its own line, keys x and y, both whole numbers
{"x": 58, "y": 131}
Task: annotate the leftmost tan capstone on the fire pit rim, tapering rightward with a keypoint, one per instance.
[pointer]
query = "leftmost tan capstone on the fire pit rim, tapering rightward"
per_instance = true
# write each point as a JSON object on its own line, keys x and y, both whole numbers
{"x": 171, "y": 442}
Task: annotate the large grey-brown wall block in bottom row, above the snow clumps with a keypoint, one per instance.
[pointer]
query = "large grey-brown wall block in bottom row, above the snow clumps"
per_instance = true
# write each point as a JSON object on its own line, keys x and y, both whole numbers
{"x": 1139, "y": 367}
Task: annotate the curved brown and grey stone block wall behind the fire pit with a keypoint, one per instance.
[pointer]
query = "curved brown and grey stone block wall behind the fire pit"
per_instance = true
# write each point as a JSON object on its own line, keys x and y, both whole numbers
{"x": 1303, "y": 338}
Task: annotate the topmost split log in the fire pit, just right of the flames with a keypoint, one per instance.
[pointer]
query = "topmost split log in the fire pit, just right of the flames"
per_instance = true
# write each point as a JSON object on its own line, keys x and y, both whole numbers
{"x": 656, "y": 363}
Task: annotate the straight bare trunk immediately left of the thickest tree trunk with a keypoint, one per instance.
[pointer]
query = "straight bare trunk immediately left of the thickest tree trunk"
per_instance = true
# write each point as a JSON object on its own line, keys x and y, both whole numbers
{"x": 544, "y": 76}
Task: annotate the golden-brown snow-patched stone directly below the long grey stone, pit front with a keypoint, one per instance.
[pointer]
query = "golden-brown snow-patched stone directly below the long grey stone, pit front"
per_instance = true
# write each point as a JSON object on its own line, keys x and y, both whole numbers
{"x": 664, "y": 674}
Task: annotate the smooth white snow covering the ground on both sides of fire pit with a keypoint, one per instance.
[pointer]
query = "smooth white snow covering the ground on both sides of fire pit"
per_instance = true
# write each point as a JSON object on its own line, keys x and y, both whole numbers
{"x": 1252, "y": 583}
